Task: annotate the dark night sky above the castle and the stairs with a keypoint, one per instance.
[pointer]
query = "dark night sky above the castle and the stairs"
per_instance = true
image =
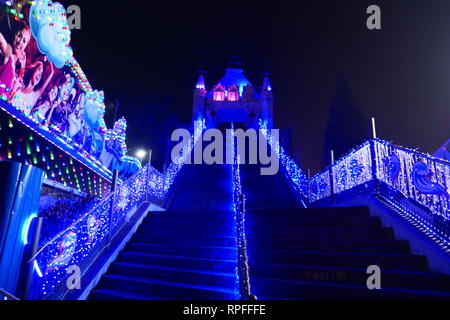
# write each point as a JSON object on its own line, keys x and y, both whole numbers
{"x": 145, "y": 52}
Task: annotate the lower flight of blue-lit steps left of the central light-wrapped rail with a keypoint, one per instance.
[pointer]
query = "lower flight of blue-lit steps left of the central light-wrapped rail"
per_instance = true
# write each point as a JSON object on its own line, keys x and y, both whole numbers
{"x": 175, "y": 255}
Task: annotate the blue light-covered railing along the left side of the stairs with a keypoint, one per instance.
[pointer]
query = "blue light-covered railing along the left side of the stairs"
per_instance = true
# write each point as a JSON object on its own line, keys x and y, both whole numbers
{"x": 78, "y": 246}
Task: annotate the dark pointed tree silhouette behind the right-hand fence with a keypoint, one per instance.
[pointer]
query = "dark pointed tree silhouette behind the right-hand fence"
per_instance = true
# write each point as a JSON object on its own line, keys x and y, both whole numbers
{"x": 347, "y": 127}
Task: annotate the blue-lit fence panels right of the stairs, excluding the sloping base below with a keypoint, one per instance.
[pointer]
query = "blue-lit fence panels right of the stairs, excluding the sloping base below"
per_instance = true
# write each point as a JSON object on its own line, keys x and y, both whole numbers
{"x": 418, "y": 177}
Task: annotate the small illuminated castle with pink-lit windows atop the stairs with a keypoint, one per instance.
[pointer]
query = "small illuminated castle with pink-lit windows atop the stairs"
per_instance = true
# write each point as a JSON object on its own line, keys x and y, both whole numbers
{"x": 233, "y": 99}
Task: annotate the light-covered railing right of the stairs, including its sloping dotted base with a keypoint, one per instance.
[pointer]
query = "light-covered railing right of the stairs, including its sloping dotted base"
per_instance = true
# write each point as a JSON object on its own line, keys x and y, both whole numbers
{"x": 402, "y": 177}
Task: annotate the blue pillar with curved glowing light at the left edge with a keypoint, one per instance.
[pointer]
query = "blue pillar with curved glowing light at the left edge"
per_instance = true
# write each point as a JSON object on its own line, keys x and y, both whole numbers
{"x": 20, "y": 189}
